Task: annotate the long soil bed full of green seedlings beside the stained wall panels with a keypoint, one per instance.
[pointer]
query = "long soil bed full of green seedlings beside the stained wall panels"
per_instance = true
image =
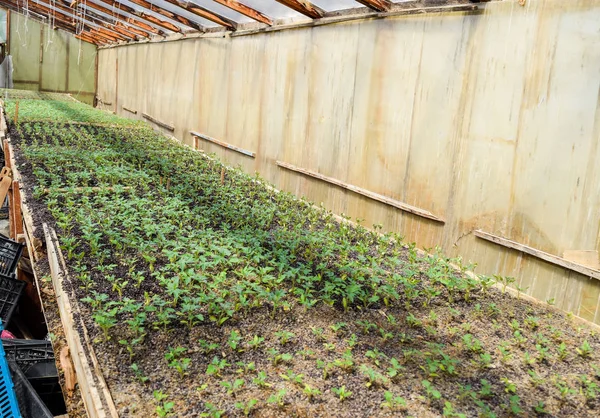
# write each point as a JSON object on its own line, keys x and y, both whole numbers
{"x": 211, "y": 296}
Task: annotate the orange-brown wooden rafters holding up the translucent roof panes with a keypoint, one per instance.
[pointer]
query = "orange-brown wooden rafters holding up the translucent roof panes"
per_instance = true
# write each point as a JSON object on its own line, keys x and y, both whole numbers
{"x": 113, "y": 21}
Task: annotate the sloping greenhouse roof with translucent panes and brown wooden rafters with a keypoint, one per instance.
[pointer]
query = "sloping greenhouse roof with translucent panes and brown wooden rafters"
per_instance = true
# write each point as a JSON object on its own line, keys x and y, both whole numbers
{"x": 113, "y": 22}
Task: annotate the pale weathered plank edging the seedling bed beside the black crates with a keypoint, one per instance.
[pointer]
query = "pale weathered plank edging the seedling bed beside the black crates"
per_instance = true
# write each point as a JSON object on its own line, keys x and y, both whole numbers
{"x": 91, "y": 394}
